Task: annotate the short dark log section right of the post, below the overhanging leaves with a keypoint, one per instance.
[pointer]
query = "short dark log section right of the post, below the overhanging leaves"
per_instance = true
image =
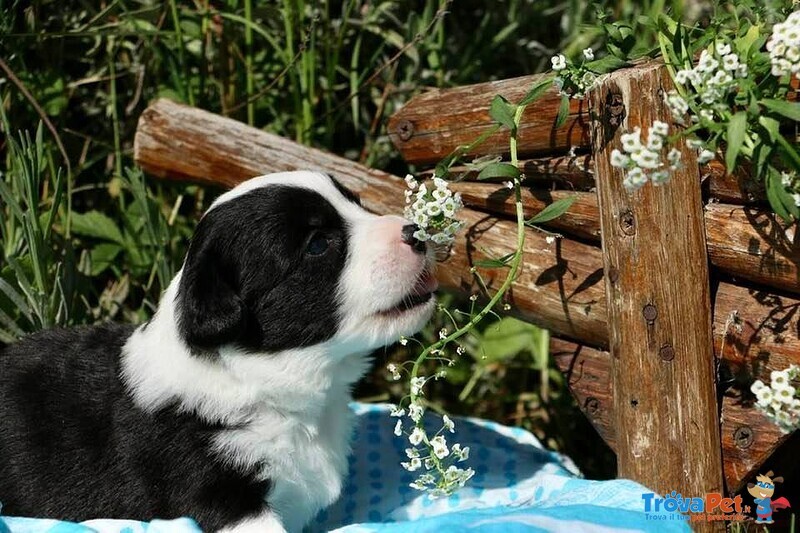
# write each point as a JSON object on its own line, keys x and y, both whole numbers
{"x": 753, "y": 244}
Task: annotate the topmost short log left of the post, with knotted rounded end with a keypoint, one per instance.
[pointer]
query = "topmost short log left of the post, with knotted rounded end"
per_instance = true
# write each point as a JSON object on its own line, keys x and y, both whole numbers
{"x": 433, "y": 124}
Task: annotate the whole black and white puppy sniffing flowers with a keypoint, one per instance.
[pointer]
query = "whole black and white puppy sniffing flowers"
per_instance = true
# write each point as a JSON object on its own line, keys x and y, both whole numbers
{"x": 230, "y": 405}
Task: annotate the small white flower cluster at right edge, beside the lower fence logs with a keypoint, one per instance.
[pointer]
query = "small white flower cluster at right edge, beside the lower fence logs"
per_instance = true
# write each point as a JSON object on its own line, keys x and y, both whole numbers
{"x": 779, "y": 400}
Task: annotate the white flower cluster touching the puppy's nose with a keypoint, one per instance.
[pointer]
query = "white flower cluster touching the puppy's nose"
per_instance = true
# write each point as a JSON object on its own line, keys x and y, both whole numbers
{"x": 434, "y": 210}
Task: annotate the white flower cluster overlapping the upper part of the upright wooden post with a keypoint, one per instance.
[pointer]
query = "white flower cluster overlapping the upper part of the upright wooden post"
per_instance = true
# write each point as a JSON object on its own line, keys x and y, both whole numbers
{"x": 642, "y": 161}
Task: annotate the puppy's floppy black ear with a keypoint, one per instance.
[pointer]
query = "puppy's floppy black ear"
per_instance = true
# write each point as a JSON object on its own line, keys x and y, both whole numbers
{"x": 210, "y": 310}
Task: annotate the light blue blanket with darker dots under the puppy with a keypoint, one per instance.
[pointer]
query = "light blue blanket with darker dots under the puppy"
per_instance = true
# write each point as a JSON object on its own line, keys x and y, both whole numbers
{"x": 518, "y": 486}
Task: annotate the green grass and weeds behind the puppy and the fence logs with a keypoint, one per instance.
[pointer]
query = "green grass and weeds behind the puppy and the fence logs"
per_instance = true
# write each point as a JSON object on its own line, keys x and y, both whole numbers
{"x": 86, "y": 237}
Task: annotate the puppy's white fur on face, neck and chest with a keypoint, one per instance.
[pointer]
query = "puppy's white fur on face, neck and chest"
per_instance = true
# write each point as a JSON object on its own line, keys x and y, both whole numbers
{"x": 291, "y": 406}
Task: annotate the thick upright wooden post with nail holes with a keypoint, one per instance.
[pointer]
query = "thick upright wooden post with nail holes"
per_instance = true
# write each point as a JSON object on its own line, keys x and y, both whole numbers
{"x": 659, "y": 308}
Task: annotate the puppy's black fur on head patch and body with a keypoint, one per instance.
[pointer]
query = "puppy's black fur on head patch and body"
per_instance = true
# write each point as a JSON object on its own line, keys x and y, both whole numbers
{"x": 261, "y": 273}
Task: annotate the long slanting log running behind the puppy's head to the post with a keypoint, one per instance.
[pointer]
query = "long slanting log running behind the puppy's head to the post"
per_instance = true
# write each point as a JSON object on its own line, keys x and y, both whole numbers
{"x": 559, "y": 288}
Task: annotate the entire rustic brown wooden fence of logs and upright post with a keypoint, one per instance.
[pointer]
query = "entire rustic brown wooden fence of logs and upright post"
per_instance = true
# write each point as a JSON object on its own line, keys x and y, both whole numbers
{"x": 649, "y": 296}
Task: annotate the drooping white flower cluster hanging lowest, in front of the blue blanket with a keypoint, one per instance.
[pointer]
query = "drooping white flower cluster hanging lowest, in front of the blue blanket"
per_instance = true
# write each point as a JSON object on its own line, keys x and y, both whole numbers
{"x": 431, "y": 455}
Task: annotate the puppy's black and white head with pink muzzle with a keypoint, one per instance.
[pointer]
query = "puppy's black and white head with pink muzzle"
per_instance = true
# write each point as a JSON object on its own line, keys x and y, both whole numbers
{"x": 291, "y": 260}
